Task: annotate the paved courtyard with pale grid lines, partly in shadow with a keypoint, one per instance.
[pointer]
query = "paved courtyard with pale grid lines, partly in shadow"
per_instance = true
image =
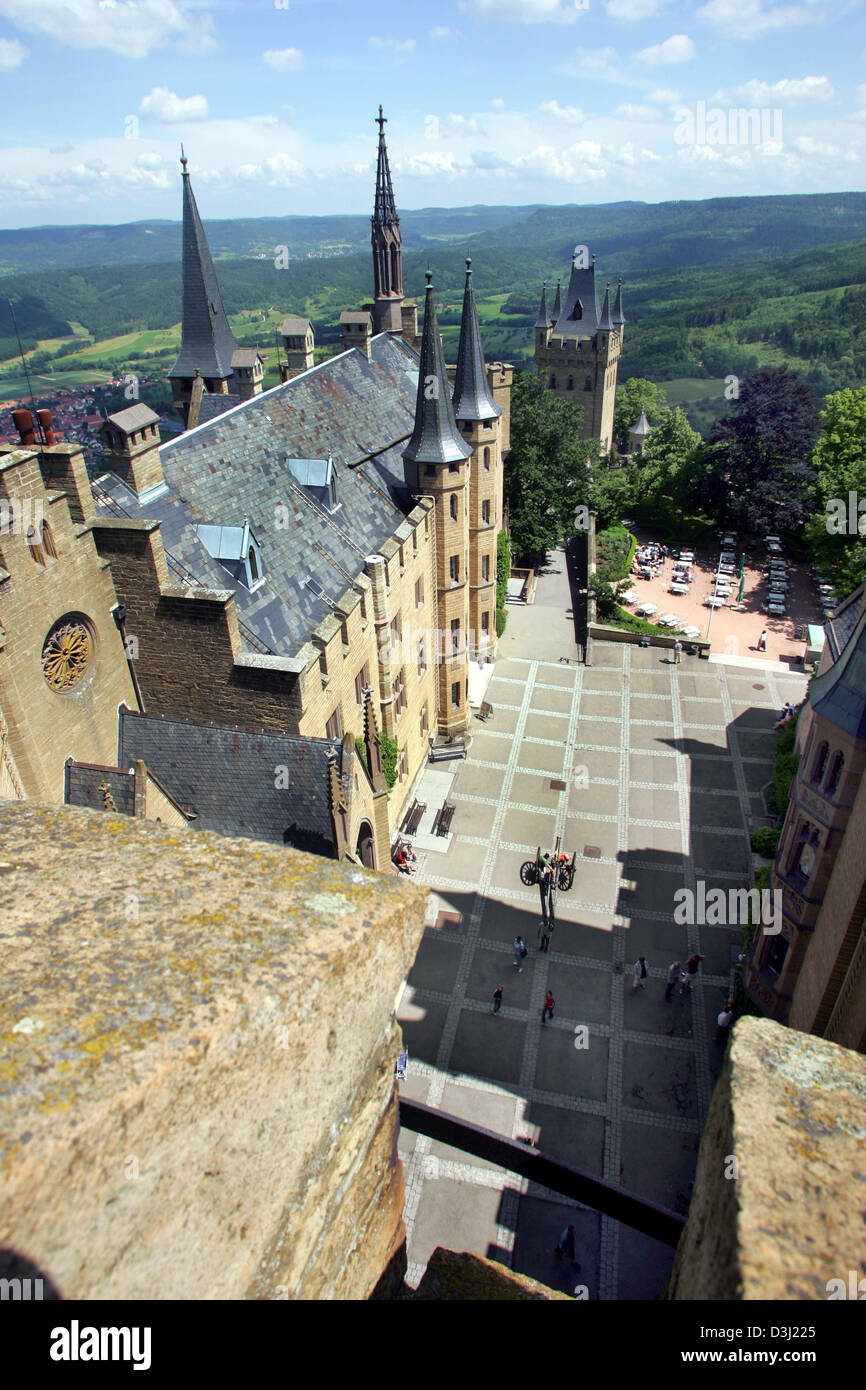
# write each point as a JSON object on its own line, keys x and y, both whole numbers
{"x": 648, "y": 772}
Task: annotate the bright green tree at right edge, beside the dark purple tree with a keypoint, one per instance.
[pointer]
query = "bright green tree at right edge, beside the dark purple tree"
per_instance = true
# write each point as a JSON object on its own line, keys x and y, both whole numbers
{"x": 840, "y": 464}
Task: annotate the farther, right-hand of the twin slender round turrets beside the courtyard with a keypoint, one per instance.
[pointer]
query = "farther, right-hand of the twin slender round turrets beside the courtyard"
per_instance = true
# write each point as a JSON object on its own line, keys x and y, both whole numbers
{"x": 480, "y": 420}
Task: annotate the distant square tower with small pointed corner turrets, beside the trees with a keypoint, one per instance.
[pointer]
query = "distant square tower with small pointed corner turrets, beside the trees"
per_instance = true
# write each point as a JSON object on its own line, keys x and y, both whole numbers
{"x": 580, "y": 358}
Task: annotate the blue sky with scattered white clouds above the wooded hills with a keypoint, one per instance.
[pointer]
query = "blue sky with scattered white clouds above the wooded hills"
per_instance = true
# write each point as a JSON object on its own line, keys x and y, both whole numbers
{"x": 487, "y": 102}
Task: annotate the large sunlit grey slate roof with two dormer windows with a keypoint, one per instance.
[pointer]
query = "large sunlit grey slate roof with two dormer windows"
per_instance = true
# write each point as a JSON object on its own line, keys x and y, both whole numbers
{"x": 357, "y": 409}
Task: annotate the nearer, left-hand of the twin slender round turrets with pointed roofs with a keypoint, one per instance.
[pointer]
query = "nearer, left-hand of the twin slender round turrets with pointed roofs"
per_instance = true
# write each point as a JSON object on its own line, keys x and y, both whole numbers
{"x": 437, "y": 464}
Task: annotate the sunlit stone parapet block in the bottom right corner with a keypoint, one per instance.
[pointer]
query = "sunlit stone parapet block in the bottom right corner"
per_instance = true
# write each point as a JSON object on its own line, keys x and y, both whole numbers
{"x": 781, "y": 1197}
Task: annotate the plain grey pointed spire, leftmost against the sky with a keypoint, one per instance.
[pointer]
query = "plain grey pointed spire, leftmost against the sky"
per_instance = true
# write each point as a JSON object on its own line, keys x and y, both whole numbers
{"x": 208, "y": 343}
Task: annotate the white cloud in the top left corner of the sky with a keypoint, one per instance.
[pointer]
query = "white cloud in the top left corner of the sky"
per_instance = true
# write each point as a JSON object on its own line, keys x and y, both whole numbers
{"x": 130, "y": 28}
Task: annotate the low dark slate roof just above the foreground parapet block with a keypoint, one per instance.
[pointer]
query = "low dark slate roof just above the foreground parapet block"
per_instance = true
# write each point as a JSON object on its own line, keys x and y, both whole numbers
{"x": 227, "y": 778}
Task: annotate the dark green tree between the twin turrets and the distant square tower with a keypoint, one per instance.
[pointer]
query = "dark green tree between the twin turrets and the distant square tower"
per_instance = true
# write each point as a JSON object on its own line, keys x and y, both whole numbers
{"x": 547, "y": 475}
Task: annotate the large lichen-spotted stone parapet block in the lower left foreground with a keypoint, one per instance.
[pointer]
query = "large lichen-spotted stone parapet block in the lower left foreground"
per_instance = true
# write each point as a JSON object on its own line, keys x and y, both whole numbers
{"x": 198, "y": 1095}
